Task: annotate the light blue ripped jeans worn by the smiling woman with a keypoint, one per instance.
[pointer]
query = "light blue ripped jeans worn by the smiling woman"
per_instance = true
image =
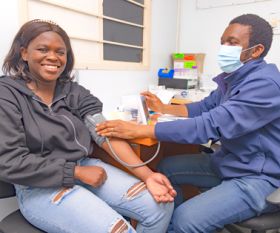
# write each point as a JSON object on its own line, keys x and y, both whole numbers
{"x": 84, "y": 209}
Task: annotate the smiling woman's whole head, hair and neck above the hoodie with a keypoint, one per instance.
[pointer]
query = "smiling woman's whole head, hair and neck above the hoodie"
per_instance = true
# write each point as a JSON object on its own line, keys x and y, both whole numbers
{"x": 45, "y": 56}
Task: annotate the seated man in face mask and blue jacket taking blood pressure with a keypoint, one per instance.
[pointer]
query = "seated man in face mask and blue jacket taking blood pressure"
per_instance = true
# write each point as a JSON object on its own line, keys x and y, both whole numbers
{"x": 243, "y": 113}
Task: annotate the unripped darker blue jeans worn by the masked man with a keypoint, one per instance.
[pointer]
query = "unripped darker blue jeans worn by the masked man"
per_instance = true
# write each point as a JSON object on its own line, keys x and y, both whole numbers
{"x": 223, "y": 202}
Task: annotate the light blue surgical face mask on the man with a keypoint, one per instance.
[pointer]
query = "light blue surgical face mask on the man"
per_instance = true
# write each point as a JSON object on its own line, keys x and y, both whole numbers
{"x": 229, "y": 58}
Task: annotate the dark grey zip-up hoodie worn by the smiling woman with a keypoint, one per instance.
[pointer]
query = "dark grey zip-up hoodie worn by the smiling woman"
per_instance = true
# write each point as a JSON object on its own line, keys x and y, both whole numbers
{"x": 40, "y": 144}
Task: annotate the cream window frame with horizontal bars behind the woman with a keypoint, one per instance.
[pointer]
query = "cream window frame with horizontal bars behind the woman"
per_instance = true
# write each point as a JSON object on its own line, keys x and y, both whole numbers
{"x": 101, "y": 63}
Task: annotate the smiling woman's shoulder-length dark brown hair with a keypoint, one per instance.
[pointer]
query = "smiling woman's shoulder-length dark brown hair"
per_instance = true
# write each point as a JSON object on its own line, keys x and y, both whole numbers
{"x": 15, "y": 66}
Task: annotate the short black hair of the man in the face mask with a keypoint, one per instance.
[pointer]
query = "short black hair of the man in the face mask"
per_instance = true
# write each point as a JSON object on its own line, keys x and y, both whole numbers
{"x": 260, "y": 30}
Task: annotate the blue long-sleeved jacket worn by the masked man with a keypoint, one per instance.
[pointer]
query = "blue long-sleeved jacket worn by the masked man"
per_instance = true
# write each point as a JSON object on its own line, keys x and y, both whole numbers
{"x": 244, "y": 114}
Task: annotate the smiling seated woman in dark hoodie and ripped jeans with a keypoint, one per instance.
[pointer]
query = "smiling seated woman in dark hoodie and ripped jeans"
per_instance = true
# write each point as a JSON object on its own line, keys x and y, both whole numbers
{"x": 45, "y": 146}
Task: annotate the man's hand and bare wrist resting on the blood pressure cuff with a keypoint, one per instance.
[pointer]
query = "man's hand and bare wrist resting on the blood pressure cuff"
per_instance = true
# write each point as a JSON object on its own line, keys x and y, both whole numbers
{"x": 123, "y": 129}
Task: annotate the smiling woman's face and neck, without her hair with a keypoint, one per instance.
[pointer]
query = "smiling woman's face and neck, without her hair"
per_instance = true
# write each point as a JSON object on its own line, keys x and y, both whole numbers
{"x": 46, "y": 57}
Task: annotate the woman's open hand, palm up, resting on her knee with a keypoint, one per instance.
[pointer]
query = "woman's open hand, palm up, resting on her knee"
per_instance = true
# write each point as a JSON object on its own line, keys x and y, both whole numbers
{"x": 160, "y": 188}
